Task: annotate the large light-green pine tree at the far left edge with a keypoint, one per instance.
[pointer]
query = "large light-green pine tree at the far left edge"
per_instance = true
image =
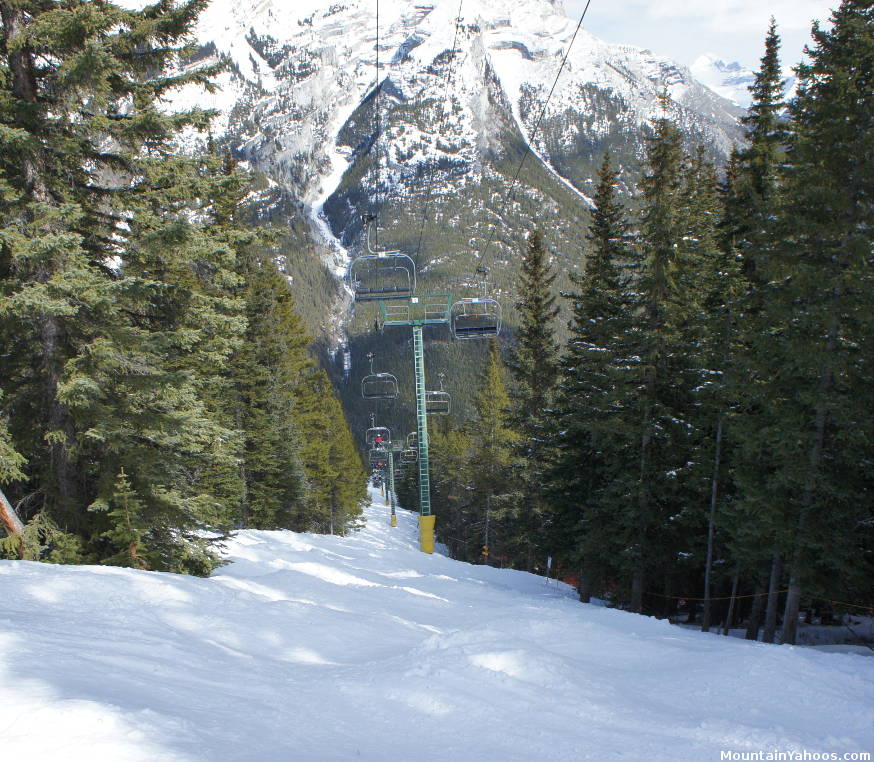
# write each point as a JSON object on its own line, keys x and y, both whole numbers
{"x": 64, "y": 100}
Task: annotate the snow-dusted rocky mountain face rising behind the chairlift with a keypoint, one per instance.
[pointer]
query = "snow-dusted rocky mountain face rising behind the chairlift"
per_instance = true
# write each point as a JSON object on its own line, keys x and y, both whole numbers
{"x": 433, "y": 143}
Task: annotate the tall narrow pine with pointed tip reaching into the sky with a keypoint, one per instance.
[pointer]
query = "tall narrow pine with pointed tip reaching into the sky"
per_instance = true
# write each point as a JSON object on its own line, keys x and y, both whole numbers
{"x": 751, "y": 199}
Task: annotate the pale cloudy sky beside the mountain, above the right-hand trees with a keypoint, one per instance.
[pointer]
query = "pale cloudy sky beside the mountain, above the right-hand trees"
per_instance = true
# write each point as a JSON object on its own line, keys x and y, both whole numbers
{"x": 734, "y": 30}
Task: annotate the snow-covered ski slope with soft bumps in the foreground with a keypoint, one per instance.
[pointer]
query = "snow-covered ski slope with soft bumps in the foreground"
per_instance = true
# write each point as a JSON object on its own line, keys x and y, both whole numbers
{"x": 362, "y": 648}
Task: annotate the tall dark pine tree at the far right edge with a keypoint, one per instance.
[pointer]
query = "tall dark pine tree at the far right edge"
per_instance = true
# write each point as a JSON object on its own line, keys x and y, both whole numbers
{"x": 817, "y": 368}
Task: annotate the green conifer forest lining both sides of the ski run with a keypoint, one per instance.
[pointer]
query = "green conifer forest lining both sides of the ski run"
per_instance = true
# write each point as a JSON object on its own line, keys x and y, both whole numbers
{"x": 681, "y": 425}
